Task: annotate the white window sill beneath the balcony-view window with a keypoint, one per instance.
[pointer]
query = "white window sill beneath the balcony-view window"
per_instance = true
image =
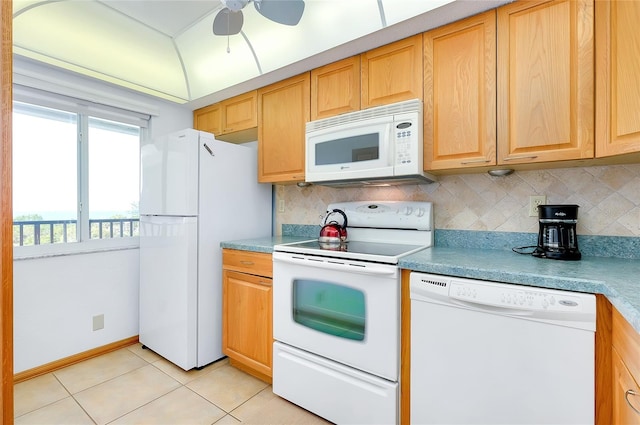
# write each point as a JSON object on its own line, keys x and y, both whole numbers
{"x": 74, "y": 248}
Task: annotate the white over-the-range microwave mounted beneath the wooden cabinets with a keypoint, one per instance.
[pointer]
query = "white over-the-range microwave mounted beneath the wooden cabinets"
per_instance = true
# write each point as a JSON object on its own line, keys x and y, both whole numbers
{"x": 376, "y": 146}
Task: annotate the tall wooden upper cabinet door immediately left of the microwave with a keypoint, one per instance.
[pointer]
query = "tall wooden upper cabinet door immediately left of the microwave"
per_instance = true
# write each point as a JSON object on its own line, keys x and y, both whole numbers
{"x": 283, "y": 111}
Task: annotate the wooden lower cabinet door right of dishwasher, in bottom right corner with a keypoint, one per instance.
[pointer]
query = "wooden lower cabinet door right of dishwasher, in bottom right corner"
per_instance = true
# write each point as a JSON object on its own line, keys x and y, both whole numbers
{"x": 623, "y": 413}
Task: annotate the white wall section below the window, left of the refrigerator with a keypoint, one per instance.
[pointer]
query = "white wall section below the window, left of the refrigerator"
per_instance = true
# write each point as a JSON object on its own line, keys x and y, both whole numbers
{"x": 56, "y": 298}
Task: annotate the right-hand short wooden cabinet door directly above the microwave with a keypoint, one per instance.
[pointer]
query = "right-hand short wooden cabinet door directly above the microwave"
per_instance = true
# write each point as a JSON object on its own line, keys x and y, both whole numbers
{"x": 392, "y": 73}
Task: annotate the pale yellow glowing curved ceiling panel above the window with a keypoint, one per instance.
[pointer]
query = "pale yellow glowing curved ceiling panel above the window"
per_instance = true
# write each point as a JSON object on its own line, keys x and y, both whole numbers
{"x": 115, "y": 45}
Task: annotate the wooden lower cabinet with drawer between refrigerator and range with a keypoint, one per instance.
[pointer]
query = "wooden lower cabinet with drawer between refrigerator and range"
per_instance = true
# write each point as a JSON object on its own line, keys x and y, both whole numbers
{"x": 247, "y": 335}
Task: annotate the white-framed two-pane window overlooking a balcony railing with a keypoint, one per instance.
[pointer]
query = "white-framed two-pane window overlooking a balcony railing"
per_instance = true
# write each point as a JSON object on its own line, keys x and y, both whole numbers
{"x": 75, "y": 176}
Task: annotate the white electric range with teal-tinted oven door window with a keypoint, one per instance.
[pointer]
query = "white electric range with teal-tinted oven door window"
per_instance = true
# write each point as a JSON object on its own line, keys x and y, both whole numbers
{"x": 336, "y": 313}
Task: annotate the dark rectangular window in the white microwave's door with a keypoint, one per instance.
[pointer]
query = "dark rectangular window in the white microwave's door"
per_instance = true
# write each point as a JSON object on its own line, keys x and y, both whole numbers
{"x": 348, "y": 150}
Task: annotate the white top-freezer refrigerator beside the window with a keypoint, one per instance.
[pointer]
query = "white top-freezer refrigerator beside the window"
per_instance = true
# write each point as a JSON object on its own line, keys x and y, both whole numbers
{"x": 195, "y": 192}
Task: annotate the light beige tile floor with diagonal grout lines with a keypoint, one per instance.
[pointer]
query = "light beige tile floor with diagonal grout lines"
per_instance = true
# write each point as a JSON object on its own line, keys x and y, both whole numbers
{"x": 136, "y": 386}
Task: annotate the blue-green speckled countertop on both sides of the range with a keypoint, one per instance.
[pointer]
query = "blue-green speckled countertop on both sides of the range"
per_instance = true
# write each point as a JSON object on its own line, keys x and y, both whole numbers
{"x": 618, "y": 279}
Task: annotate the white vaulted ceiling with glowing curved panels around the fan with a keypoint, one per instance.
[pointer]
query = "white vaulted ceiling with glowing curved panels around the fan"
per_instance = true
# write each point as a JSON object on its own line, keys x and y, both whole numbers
{"x": 166, "y": 48}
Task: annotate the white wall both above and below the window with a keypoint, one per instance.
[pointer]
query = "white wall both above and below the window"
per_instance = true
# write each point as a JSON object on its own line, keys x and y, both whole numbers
{"x": 55, "y": 298}
